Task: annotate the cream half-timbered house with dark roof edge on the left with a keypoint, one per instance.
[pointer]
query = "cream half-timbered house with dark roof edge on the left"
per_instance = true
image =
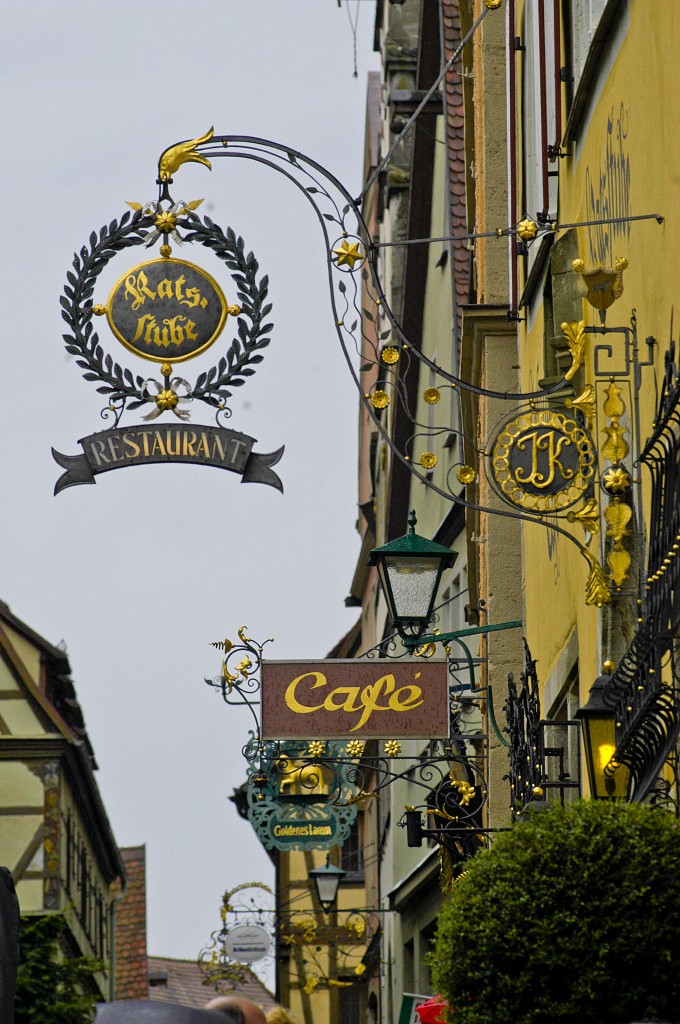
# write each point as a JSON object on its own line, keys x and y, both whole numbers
{"x": 55, "y": 834}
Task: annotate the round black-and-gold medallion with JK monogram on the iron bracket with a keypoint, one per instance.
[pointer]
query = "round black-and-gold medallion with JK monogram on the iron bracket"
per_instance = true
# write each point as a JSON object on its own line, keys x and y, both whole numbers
{"x": 542, "y": 461}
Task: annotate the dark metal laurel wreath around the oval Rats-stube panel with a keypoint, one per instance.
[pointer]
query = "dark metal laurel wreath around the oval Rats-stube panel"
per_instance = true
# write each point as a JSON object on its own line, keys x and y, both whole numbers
{"x": 126, "y": 390}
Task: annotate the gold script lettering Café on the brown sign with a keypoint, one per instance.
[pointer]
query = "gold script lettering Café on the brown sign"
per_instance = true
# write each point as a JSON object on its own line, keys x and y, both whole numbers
{"x": 353, "y": 700}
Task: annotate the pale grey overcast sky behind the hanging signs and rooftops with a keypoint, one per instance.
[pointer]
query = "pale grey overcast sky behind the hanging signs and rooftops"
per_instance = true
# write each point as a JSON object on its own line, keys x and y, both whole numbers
{"x": 139, "y": 574}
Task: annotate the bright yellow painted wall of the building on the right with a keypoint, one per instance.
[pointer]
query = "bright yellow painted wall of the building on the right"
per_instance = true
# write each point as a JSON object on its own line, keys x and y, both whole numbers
{"x": 623, "y": 163}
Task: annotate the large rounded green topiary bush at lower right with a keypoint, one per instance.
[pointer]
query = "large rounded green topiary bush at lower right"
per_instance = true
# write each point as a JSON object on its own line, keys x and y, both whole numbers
{"x": 572, "y": 918}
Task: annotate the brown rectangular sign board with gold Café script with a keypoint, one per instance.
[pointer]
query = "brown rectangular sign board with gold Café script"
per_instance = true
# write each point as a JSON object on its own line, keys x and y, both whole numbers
{"x": 338, "y": 699}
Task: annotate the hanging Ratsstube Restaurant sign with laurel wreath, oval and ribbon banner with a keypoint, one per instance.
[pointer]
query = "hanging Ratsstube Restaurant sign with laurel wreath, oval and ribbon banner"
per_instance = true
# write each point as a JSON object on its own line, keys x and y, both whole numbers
{"x": 166, "y": 311}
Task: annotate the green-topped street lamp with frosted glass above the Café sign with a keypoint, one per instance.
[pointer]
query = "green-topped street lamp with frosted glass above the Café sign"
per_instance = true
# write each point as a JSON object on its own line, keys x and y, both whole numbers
{"x": 410, "y": 571}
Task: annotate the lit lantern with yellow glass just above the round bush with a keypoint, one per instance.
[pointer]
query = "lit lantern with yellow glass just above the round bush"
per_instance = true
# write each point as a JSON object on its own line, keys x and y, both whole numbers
{"x": 609, "y": 781}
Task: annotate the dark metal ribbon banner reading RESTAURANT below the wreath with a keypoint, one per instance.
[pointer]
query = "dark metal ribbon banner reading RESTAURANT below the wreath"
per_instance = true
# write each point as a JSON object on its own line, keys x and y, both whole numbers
{"x": 141, "y": 446}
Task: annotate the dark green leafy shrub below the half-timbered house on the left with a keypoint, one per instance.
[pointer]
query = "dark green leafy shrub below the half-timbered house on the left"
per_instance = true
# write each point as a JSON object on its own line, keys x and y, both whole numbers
{"x": 50, "y": 989}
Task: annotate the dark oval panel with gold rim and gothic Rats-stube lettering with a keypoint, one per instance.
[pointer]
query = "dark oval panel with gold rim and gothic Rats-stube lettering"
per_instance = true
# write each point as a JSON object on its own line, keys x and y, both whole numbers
{"x": 166, "y": 311}
